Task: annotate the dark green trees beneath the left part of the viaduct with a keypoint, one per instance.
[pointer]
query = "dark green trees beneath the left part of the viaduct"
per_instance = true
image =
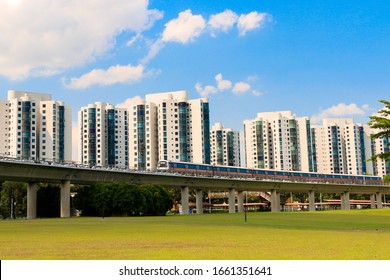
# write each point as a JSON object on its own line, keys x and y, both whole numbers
{"x": 117, "y": 199}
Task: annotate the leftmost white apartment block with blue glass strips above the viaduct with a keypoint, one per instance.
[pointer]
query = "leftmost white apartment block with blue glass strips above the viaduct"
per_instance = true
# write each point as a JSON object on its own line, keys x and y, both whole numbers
{"x": 38, "y": 127}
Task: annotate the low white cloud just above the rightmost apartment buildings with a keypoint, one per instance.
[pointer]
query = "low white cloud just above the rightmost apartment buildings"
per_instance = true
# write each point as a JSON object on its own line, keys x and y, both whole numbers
{"x": 340, "y": 110}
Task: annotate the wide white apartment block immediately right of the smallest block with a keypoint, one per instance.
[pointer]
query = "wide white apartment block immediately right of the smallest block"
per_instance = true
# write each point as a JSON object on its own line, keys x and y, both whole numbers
{"x": 278, "y": 140}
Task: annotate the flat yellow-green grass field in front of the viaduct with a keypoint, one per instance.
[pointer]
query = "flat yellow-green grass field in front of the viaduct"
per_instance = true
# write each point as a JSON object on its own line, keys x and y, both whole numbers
{"x": 328, "y": 235}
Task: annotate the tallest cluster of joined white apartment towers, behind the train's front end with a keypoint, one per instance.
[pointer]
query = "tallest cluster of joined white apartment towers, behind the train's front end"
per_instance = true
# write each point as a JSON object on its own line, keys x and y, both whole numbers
{"x": 163, "y": 126}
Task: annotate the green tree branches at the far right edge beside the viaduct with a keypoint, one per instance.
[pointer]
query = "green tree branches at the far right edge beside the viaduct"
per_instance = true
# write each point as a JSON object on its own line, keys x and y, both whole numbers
{"x": 381, "y": 122}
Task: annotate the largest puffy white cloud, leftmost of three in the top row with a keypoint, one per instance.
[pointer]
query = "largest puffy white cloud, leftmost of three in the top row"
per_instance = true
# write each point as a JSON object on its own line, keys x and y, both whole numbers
{"x": 184, "y": 29}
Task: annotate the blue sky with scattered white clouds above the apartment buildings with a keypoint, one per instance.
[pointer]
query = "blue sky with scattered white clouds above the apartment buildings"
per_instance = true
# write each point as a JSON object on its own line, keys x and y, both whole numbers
{"x": 317, "y": 58}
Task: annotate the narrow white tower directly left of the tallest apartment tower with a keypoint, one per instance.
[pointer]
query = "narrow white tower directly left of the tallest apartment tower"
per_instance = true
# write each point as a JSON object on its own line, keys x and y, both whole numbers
{"x": 143, "y": 145}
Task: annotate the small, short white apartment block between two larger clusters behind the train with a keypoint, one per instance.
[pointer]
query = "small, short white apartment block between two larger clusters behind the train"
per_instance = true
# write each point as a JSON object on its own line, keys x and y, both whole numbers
{"x": 225, "y": 146}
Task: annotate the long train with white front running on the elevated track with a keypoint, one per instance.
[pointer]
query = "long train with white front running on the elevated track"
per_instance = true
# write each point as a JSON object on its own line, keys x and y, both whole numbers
{"x": 207, "y": 170}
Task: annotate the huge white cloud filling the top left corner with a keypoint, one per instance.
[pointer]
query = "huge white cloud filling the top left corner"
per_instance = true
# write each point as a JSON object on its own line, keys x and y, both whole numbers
{"x": 48, "y": 36}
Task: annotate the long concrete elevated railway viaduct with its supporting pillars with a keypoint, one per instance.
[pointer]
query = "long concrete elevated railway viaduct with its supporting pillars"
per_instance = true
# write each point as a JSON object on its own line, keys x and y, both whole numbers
{"x": 65, "y": 175}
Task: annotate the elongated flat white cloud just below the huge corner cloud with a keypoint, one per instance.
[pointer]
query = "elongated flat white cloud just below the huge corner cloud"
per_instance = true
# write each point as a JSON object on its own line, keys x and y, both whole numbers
{"x": 113, "y": 75}
